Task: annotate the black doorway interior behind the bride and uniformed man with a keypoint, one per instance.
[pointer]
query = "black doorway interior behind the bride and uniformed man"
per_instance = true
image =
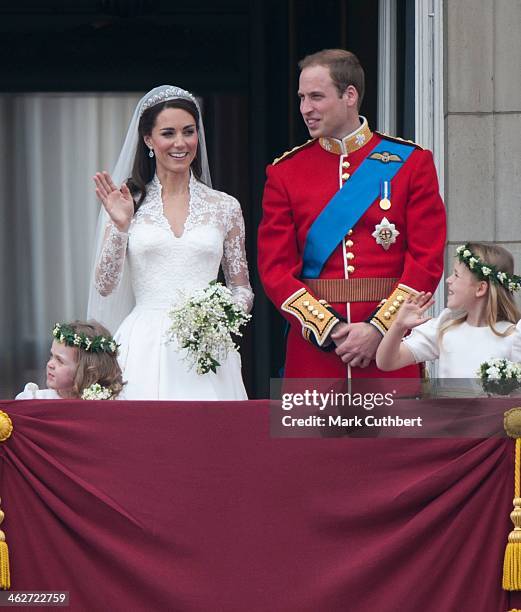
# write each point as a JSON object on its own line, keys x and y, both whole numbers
{"x": 239, "y": 56}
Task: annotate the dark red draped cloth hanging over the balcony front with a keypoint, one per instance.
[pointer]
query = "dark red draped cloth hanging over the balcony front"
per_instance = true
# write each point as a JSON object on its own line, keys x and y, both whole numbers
{"x": 194, "y": 507}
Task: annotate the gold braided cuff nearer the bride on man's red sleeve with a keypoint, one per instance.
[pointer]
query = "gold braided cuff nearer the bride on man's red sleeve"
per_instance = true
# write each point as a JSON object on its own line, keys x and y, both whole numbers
{"x": 313, "y": 314}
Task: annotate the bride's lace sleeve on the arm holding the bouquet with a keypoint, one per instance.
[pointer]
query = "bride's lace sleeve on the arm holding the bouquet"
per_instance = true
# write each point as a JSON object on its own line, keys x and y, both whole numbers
{"x": 235, "y": 266}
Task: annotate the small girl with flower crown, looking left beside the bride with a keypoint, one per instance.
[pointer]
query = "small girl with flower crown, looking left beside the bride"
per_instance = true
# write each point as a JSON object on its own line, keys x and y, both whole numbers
{"x": 83, "y": 364}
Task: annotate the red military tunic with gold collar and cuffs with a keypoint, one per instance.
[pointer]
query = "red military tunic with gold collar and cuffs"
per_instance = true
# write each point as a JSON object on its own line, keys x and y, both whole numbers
{"x": 299, "y": 185}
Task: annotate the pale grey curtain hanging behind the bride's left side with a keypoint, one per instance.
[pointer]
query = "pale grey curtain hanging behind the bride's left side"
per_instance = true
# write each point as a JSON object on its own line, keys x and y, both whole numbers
{"x": 53, "y": 144}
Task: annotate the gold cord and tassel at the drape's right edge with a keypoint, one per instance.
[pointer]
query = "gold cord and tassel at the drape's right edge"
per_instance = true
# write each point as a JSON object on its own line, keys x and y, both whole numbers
{"x": 512, "y": 562}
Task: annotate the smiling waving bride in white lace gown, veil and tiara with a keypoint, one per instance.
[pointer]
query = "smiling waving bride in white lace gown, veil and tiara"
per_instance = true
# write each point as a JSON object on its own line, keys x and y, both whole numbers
{"x": 162, "y": 235}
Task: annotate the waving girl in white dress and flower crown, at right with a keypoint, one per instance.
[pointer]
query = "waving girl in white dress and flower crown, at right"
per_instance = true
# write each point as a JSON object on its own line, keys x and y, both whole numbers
{"x": 481, "y": 320}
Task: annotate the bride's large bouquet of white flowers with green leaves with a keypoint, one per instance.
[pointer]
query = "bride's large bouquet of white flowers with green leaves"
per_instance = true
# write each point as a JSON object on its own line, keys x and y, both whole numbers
{"x": 202, "y": 325}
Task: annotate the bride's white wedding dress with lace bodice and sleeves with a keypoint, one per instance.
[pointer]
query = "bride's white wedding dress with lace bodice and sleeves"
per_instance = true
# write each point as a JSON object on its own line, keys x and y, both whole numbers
{"x": 163, "y": 269}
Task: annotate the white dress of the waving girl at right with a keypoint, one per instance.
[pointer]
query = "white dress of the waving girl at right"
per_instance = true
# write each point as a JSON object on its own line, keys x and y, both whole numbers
{"x": 463, "y": 347}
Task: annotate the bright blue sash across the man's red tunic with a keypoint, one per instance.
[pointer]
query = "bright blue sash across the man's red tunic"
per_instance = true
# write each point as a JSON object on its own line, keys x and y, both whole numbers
{"x": 347, "y": 205}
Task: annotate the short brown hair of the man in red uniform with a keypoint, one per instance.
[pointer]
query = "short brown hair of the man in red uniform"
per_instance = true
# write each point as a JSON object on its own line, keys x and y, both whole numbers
{"x": 344, "y": 68}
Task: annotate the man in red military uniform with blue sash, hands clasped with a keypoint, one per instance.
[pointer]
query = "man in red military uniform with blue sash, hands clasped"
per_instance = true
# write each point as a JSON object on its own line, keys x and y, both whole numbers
{"x": 352, "y": 224}
